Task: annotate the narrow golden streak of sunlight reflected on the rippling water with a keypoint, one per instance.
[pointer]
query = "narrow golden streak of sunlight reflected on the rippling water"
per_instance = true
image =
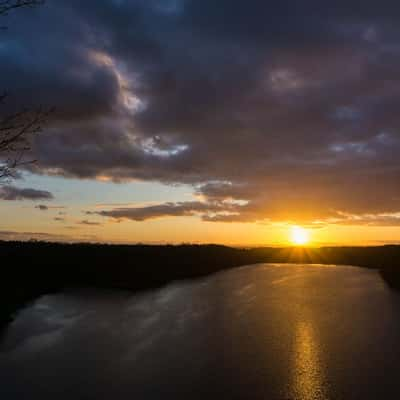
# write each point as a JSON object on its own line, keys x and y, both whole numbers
{"x": 308, "y": 379}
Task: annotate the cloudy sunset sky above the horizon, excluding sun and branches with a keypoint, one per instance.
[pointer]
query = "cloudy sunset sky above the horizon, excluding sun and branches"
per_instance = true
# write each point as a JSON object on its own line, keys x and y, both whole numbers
{"x": 206, "y": 121}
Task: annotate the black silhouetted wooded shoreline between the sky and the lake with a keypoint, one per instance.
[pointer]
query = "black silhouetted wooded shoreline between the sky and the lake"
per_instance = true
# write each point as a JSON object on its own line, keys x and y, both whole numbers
{"x": 30, "y": 269}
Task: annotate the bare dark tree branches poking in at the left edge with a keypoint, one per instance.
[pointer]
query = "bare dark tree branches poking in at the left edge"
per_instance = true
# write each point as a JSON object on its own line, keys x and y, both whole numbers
{"x": 17, "y": 129}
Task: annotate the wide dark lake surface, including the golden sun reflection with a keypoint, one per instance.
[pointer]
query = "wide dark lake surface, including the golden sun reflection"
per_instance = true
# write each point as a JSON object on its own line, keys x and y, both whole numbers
{"x": 258, "y": 332}
